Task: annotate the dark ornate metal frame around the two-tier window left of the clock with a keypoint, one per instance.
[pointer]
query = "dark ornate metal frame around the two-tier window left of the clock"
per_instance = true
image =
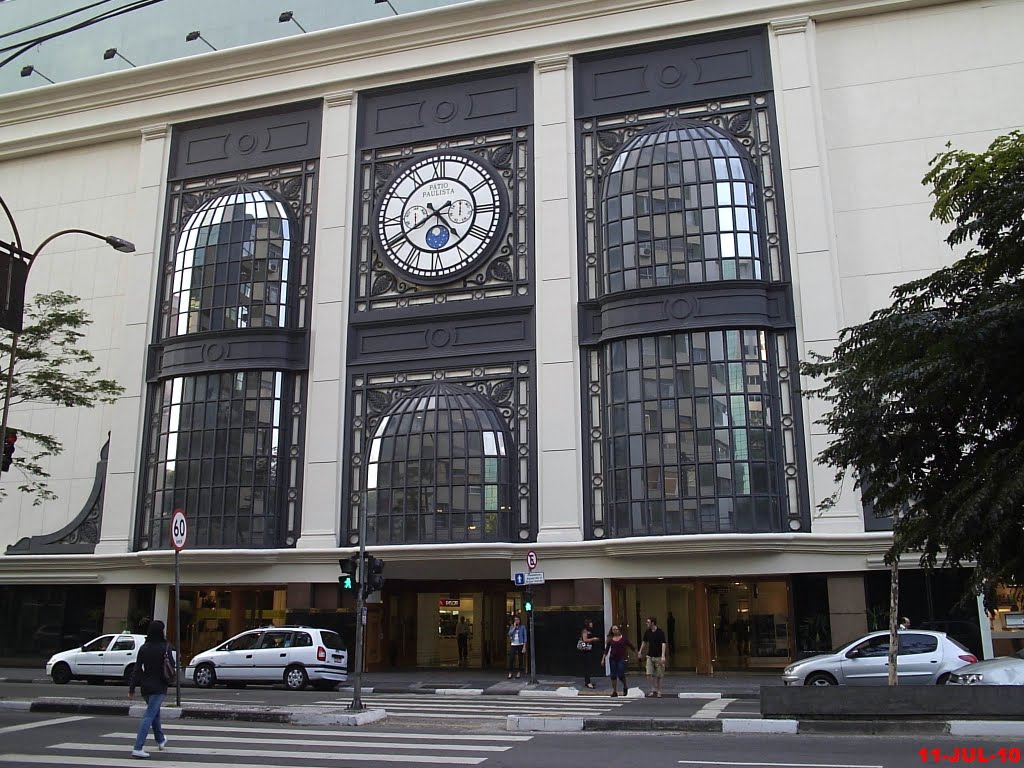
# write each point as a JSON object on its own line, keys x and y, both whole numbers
{"x": 281, "y": 352}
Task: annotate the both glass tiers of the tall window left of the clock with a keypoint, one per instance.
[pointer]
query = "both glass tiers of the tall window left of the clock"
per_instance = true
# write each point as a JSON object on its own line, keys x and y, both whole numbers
{"x": 219, "y": 440}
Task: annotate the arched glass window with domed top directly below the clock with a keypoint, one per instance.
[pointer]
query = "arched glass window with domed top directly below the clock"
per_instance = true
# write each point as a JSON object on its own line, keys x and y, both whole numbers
{"x": 441, "y": 468}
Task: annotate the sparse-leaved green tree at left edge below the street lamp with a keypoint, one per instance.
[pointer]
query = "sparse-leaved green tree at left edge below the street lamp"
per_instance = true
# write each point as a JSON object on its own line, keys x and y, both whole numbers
{"x": 51, "y": 368}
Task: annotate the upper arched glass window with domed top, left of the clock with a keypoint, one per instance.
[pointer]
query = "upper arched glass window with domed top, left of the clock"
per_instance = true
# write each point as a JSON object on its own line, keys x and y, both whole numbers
{"x": 232, "y": 266}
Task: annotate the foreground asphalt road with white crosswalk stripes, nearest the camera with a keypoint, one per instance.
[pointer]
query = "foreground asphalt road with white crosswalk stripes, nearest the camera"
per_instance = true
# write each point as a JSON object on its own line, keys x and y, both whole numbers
{"x": 28, "y": 740}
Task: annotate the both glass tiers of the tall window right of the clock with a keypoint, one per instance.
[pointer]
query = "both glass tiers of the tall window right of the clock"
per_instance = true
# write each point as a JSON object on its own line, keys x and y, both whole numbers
{"x": 691, "y": 444}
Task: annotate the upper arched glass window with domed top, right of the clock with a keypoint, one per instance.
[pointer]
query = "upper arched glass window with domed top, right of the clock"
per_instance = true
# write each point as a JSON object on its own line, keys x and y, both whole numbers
{"x": 679, "y": 205}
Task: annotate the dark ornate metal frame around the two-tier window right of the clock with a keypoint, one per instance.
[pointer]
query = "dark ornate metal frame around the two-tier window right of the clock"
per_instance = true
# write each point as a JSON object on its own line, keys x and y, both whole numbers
{"x": 740, "y": 305}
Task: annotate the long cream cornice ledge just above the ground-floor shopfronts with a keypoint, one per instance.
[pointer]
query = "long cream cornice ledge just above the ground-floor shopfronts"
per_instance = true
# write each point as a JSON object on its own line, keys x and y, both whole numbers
{"x": 108, "y": 569}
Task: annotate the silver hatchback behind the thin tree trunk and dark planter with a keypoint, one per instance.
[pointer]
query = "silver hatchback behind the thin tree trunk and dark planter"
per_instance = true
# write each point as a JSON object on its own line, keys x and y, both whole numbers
{"x": 924, "y": 659}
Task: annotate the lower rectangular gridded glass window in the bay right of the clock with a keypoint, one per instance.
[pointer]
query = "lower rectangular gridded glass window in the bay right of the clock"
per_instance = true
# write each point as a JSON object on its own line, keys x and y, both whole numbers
{"x": 690, "y": 435}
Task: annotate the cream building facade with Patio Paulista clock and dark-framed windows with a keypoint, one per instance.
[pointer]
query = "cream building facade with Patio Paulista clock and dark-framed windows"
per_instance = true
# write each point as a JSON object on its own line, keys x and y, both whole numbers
{"x": 541, "y": 286}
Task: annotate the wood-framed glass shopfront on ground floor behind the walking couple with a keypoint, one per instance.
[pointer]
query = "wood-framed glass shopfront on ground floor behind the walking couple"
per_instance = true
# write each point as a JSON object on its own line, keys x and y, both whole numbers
{"x": 712, "y": 625}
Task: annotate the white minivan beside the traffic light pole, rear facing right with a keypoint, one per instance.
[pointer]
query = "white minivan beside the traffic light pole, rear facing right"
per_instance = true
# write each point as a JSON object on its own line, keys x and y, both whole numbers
{"x": 294, "y": 656}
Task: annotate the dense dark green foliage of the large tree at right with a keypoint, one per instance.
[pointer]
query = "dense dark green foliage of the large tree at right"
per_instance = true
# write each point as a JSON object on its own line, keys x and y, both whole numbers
{"x": 927, "y": 397}
